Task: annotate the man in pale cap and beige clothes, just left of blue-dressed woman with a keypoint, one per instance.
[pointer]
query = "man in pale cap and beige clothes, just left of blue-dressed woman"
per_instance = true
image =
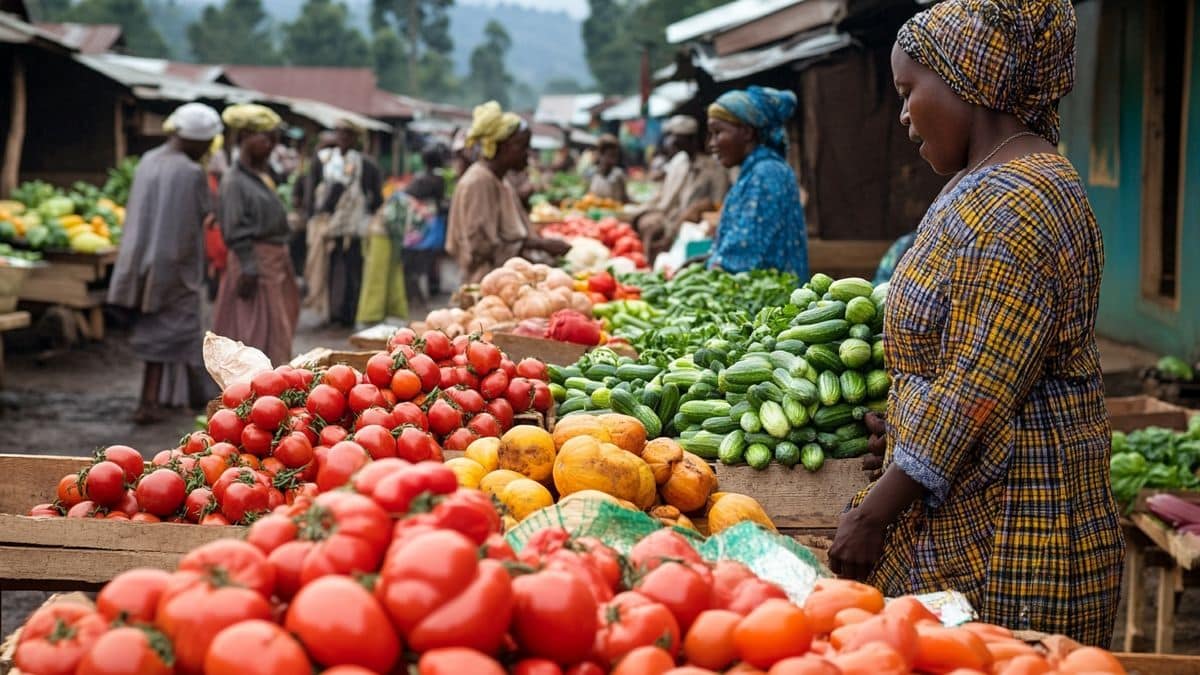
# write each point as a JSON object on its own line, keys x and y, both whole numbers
{"x": 694, "y": 183}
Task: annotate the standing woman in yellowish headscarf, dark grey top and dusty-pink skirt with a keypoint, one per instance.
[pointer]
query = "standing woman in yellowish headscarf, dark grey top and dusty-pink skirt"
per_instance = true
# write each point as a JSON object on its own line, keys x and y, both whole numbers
{"x": 259, "y": 302}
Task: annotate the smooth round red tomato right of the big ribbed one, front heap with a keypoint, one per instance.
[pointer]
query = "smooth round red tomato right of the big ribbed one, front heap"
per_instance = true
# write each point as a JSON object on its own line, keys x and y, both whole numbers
{"x": 555, "y": 617}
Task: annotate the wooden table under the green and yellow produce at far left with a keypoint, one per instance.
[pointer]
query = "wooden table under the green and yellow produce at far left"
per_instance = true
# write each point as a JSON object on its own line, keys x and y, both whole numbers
{"x": 75, "y": 282}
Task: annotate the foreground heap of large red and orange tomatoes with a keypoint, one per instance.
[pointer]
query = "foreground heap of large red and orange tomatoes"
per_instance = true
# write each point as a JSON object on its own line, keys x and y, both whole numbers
{"x": 406, "y": 574}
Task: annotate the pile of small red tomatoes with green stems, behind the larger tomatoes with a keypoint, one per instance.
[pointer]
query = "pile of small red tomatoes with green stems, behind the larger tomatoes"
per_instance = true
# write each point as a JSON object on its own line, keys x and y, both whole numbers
{"x": 296, "y": 432}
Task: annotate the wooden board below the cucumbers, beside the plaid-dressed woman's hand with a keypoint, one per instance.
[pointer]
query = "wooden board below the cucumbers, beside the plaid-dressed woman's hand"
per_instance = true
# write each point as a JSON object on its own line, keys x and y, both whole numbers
{"x": 796, "y": 498}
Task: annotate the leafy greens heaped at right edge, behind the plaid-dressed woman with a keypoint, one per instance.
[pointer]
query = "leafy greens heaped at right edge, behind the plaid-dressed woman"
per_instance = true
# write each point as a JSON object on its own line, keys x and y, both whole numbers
{"x": 1155, "y": 458}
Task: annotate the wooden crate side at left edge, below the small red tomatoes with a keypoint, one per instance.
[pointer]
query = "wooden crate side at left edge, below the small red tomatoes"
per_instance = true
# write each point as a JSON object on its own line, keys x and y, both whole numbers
{"x": 79, "y": 554}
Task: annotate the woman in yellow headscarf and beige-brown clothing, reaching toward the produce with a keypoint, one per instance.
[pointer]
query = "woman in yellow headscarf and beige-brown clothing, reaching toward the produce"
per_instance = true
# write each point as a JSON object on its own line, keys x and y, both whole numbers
{"x": 488, "y": 224}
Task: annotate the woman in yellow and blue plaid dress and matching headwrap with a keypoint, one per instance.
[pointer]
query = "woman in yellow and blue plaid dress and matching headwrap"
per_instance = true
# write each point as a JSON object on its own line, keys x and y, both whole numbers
{"x": 997, "y": 480}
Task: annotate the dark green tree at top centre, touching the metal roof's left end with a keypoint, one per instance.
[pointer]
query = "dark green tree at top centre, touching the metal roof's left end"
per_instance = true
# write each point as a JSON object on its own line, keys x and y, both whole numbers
{"x": 617, "y": 31}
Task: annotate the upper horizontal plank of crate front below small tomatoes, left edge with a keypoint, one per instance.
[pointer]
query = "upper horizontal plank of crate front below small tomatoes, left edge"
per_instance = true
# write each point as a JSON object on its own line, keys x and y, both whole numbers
{"x": 110, "y": 535}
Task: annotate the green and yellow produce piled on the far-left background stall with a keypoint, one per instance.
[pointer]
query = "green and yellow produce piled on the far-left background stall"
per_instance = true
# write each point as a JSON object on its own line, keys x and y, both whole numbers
{"x": 45, "y": 218}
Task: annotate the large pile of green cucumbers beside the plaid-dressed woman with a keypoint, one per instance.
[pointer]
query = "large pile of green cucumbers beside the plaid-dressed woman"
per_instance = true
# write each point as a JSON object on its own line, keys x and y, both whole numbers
{"x": 793, "y": 386}
